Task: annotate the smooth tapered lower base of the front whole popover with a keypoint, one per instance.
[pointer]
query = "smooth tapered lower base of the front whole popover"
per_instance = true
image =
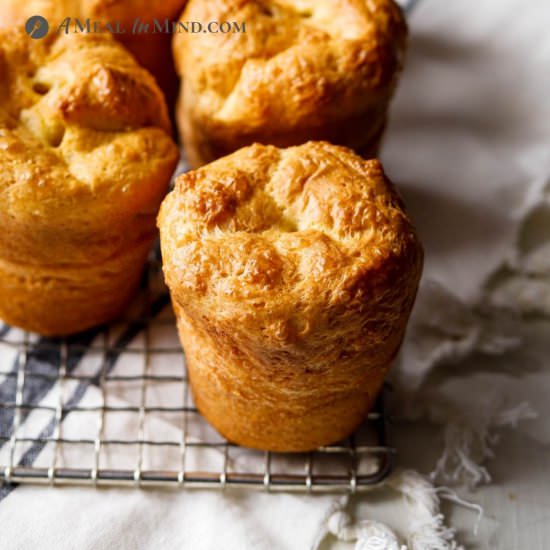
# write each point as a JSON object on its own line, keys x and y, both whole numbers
{"x": 250, "y": 419}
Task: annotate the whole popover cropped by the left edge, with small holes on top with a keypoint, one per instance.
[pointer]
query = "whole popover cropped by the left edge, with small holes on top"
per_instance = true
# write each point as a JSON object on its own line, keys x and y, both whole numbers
{"x": 85, "y": 160}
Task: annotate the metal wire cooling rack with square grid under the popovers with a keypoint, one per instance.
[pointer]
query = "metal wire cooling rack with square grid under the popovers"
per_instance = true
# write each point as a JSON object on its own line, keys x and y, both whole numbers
{"x": 112, "y": 407}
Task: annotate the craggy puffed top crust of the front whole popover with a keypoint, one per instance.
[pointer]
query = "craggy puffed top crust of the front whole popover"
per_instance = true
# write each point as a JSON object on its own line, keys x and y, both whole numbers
{"x": 290, "y": 240}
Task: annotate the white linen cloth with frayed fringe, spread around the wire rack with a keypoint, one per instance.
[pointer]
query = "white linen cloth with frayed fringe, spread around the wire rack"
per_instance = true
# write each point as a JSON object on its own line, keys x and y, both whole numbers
{"x": 468, "y": 146}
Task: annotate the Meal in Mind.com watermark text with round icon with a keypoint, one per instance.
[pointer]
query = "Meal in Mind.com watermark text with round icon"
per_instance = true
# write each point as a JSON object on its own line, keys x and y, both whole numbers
{"x": 38, "y": 27}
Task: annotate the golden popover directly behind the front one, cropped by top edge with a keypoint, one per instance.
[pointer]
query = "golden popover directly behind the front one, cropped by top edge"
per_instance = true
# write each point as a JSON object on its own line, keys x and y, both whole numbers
{"x": 302, "y": 70}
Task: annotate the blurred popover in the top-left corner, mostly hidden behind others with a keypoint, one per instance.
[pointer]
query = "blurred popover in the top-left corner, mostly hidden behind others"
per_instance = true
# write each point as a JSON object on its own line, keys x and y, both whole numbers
{"x": 152, "y": 50}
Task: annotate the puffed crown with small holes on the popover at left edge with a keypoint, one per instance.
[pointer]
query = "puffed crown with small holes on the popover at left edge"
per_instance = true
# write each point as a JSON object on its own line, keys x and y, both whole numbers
{"x": 85, "y": 147}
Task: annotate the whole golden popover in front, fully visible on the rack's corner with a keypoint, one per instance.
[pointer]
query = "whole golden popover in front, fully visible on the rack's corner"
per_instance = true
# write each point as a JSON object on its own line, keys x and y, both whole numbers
{"x": 292, "y": 274}
